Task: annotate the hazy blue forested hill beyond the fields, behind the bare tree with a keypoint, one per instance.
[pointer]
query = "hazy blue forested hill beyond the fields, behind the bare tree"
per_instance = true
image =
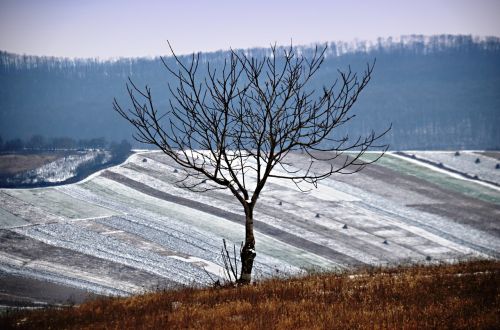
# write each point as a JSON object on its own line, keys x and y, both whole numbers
{"x": 439, "y": 92}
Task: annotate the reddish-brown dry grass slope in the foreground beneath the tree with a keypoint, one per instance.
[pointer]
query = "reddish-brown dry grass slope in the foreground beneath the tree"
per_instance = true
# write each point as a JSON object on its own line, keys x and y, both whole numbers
{"x": 462, "y": 296}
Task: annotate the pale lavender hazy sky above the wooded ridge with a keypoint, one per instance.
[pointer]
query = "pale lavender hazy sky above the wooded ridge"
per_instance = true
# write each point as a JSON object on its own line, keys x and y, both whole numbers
{"x": 113, "y": 28}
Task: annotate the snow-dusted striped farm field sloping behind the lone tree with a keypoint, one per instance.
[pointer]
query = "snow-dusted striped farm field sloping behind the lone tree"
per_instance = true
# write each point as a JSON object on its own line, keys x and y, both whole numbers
{"x": 131, "y": 229}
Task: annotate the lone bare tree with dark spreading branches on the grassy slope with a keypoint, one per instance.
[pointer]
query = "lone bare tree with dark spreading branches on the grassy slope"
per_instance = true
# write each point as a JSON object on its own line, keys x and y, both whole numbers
{"x": 233, "y": 127}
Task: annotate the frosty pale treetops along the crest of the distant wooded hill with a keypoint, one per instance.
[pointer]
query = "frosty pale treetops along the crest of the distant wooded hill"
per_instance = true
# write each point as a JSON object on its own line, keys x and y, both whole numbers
{"x": 409, "y": 44}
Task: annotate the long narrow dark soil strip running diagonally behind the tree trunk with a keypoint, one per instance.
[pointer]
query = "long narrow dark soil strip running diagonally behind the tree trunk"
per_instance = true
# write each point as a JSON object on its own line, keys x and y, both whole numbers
{"x": 260, "y": 226}
